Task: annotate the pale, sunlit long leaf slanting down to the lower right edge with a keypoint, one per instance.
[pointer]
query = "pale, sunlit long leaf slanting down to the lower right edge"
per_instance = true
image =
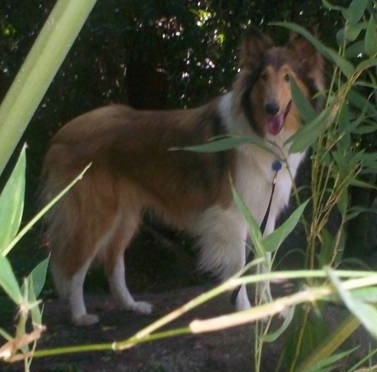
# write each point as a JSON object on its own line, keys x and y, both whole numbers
{"x": 364, "y": 312}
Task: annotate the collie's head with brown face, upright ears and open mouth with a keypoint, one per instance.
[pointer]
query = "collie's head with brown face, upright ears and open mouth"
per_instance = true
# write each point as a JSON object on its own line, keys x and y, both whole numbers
{"x": 264, "y": 85}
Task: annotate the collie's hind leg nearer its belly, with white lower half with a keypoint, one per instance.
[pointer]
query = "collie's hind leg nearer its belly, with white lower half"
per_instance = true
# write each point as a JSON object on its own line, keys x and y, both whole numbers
{"x": 113, "y": 258}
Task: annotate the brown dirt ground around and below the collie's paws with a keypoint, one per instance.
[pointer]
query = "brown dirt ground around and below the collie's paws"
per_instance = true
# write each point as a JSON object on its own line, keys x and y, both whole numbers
{"x": 227, "y": 350}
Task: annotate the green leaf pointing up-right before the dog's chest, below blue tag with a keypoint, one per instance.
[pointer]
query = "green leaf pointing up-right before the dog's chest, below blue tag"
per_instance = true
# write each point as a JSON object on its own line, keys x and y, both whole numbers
{"x": 273, "y": 241}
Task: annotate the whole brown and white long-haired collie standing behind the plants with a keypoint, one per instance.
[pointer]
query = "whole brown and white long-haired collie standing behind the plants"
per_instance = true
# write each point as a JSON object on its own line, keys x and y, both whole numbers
{"x": 133, "y": 170}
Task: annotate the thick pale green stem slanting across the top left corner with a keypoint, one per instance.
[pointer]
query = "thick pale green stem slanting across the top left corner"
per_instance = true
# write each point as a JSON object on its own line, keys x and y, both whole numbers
{"x": 31, "y": 83}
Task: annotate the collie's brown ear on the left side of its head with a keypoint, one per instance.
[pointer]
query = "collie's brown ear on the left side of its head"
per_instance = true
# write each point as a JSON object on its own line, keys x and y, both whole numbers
{"x": 253, "y": 46}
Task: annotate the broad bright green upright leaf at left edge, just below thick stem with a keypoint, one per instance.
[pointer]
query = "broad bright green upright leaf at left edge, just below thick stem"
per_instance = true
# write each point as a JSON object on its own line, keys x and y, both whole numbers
{"x": 12, "y": 203}
